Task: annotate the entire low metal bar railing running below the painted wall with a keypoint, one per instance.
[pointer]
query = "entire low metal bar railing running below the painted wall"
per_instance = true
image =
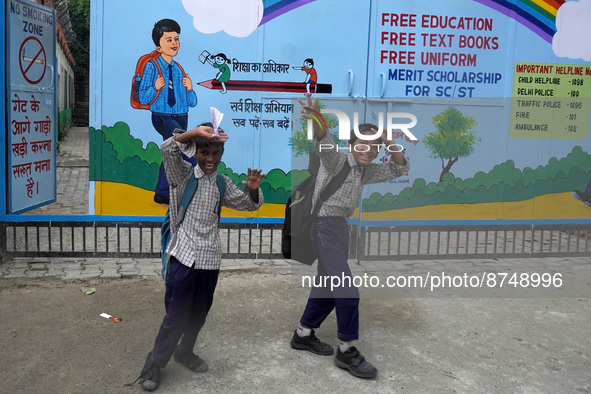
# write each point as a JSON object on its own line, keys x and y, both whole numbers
{"x": 263, "y": 241}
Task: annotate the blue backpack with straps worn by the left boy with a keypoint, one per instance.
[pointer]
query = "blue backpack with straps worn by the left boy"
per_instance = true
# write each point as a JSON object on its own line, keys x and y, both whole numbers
{"x": 165, "y": 232}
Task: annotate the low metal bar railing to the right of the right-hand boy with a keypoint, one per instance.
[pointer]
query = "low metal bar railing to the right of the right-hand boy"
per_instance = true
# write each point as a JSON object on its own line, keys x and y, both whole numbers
{"x": 452, "y": 242}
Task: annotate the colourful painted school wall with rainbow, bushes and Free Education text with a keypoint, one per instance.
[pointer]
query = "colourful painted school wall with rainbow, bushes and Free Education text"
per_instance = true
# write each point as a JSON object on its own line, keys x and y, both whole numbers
{"x": 518, "y": 74}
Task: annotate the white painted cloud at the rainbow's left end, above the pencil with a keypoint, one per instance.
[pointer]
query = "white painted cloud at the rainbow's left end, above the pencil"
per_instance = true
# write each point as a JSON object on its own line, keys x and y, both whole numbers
{"x": 237, "y": 18}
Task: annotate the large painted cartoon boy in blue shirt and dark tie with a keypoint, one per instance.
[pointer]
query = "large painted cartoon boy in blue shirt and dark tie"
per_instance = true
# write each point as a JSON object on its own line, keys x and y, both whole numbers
{"x": 173, "y": 90}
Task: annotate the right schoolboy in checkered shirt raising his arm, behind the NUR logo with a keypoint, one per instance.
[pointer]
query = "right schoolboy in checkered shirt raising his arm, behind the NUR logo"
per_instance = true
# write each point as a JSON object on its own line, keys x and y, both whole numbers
{"x": 330, "y": 238}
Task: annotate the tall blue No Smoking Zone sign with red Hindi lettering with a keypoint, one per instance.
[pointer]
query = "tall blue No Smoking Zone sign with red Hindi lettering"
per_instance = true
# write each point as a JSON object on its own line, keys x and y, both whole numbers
{"x": 31, "y": 153}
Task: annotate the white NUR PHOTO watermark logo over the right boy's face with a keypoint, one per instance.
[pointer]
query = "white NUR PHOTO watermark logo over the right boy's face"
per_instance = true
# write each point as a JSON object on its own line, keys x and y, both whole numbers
{"x": 345, "y": 128}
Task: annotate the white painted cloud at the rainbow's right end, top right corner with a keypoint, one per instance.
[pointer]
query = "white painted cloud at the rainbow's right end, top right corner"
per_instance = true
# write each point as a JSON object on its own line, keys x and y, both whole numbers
{"x": 573, "y": 30}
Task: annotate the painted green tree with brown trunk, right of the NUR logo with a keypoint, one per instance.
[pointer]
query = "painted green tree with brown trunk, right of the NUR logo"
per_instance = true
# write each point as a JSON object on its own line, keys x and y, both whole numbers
{"x": 452, "y": 139}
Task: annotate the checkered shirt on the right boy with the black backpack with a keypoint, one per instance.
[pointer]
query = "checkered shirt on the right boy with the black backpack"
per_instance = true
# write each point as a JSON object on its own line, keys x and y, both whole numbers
{"x": 344, "y": 201}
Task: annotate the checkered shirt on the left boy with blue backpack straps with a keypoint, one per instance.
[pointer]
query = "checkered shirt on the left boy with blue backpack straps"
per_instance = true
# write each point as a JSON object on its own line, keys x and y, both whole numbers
{"x": 198, "y": 239}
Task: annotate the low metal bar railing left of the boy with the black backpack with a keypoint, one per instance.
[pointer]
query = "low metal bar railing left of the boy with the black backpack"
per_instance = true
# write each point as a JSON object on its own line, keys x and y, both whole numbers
{"x": 126, "y": 239}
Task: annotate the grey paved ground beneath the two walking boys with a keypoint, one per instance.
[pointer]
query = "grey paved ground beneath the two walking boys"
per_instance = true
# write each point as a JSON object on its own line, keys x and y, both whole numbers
{"x": 54, "y": 340}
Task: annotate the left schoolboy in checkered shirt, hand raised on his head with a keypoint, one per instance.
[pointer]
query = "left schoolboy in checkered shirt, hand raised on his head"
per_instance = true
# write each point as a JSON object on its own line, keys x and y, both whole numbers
{"x": 196, "y": 256}
